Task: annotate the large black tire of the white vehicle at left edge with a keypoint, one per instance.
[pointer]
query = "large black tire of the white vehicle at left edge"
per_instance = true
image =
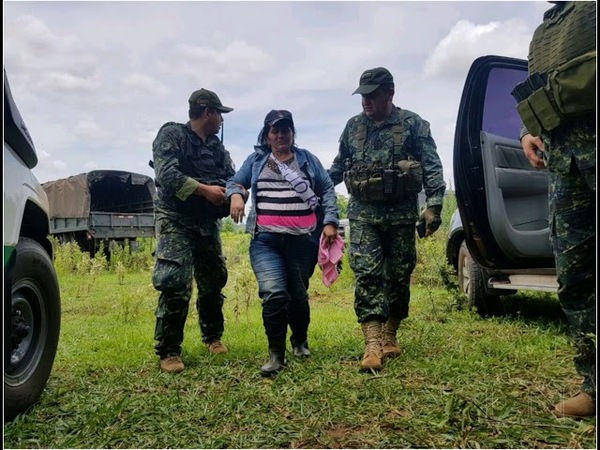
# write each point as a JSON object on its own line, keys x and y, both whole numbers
{"x": 35, "y": 327}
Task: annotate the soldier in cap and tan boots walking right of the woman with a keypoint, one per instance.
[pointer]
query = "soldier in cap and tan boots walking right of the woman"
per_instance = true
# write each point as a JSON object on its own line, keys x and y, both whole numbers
{"x": 386, "y": 156}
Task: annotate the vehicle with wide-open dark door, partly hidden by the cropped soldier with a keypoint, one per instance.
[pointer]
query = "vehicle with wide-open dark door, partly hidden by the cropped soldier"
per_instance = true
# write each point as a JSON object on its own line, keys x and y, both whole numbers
{"x": 499, "y": 237}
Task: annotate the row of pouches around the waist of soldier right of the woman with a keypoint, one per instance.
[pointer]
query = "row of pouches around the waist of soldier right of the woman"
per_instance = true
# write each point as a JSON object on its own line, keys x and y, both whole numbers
{"x": 386, "y": 185}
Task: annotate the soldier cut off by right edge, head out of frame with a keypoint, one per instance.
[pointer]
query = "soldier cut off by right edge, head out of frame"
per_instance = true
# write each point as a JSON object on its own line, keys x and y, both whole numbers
{"x": 563, "y": 51}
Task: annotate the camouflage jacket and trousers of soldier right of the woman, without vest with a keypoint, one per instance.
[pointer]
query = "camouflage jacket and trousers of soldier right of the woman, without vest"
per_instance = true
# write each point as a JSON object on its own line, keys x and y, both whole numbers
{"x": 382, "y": 236}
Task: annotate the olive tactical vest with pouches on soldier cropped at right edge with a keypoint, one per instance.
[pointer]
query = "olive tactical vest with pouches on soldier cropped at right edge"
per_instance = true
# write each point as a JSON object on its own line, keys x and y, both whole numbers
{"x": 562, "y": 68}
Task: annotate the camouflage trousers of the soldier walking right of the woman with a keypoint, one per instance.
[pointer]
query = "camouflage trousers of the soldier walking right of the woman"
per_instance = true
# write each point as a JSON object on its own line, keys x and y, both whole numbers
{"x": 382, "y": 258}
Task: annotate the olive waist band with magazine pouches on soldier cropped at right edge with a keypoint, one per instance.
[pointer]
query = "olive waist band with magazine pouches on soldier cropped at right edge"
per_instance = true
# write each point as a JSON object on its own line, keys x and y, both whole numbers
{"x": 547, "y": 99}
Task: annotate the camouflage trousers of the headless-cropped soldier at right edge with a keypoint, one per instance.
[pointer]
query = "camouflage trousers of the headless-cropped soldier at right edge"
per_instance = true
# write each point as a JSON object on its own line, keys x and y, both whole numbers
{"x": 573, "y": 235}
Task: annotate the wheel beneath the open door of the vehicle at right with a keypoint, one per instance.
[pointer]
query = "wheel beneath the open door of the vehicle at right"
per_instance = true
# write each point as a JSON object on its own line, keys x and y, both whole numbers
{"x": 472, "y": 281}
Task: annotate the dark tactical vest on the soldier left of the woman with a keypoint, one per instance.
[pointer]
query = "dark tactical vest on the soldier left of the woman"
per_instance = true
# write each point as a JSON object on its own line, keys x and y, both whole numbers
{"x": 205, "y": 165}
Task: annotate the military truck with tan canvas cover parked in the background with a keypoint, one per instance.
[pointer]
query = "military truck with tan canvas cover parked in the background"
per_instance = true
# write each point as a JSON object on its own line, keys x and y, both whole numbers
{"x": 101, "y": 206}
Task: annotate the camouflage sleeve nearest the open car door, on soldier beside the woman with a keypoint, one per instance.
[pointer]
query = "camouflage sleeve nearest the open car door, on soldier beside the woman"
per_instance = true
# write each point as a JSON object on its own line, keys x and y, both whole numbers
{"x": 433, "y": 175}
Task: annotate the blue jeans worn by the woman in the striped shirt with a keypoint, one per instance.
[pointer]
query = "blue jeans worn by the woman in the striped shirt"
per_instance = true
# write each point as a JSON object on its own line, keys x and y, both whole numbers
{"x": 283, "y": 265}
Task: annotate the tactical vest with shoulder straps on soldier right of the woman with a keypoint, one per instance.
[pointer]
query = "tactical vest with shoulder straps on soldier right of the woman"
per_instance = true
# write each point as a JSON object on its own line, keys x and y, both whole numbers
{"x": 400, "y": 178}
